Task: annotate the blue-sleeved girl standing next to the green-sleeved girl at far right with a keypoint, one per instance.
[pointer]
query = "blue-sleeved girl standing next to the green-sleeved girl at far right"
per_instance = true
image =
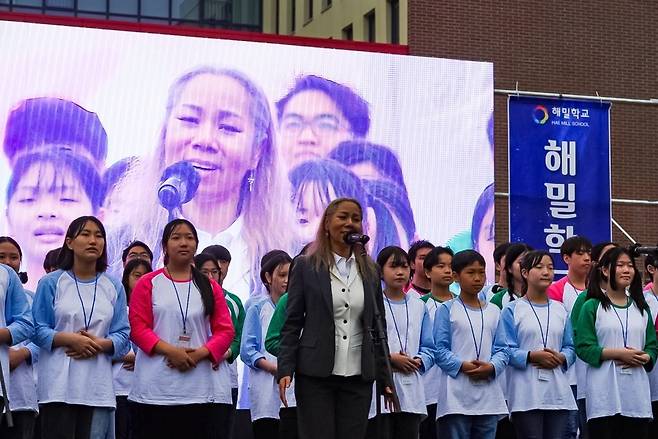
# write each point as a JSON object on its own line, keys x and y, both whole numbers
{"x": 536, "y": 333}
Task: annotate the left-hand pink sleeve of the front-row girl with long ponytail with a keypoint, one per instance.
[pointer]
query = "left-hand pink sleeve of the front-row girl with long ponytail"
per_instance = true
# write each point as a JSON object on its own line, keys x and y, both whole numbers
{"x": 141, "y": 315}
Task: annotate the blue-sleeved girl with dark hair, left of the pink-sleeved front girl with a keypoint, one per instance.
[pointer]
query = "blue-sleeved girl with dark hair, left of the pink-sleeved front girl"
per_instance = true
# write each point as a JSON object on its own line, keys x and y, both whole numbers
{"x": 81, "y": 323}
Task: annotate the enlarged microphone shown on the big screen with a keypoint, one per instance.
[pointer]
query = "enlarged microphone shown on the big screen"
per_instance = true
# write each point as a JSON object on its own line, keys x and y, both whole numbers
{"x": 178, "y": 185}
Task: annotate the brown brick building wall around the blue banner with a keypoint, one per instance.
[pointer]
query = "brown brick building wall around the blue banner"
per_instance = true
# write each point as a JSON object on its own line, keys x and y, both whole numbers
{"x": 569, "y": 47}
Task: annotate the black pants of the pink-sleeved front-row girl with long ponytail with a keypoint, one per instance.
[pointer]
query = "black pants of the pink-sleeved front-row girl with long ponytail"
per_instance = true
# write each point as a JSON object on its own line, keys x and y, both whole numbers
{"x": 173, "y": 422}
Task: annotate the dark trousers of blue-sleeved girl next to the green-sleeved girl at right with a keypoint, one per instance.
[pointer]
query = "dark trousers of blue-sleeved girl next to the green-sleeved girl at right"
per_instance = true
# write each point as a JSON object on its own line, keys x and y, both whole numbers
{"x": 540, "y": 424}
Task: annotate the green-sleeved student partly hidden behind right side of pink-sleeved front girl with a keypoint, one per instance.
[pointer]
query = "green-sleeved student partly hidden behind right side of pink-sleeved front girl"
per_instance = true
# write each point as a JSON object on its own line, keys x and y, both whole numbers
{"x": 210, "y": 266}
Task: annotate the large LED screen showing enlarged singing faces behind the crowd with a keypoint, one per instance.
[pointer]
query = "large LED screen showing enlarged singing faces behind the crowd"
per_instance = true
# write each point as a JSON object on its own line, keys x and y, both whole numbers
{"x": 96, "y": 122}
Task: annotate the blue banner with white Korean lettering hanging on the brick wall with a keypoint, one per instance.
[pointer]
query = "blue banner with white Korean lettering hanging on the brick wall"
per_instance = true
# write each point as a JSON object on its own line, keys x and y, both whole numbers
{"x": 559, "y": 172}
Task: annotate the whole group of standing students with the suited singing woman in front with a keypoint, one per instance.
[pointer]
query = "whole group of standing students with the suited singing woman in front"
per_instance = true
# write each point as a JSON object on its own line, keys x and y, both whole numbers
{"x": 153, "y": 354}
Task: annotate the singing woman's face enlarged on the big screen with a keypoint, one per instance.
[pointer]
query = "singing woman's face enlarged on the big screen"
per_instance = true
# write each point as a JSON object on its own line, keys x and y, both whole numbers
{"x": 211, "y": 127}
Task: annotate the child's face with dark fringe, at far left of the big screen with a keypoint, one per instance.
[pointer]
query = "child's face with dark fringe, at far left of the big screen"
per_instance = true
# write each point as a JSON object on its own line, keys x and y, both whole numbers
{"x": 43, "y": 205}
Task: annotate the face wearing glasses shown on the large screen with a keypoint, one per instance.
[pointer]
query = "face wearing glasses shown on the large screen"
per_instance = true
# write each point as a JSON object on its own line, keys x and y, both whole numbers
{"x": 311, "y": 126}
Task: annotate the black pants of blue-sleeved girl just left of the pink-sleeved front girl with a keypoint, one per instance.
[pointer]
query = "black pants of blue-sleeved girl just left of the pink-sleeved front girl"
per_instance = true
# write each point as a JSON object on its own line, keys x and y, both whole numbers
{"x": 65, "y": 421}
